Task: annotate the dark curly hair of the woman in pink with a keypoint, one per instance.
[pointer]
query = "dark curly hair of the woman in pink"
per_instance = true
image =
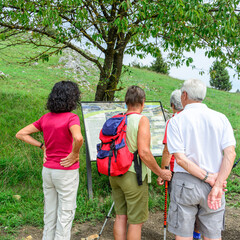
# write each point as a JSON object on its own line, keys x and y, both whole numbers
{"x": 64, "y": 97}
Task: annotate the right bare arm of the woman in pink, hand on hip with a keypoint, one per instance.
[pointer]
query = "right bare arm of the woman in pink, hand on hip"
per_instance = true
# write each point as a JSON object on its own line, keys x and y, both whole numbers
{"x": 77, "y": 143}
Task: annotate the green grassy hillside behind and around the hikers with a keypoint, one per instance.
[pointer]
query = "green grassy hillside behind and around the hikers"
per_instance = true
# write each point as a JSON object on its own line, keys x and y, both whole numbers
{"x": 23, "y": 93}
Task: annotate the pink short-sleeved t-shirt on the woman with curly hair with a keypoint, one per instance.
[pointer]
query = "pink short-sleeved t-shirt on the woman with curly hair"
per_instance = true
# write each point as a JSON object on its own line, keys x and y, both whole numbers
{"x": 57, "y": 137}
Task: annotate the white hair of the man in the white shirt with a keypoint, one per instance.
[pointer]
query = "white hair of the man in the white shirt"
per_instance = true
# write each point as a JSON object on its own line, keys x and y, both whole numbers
{"x": 196, "y": 89}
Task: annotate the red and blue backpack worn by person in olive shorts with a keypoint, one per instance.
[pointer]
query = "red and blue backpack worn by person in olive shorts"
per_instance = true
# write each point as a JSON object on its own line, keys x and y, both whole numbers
{"x": 113, "y": 155}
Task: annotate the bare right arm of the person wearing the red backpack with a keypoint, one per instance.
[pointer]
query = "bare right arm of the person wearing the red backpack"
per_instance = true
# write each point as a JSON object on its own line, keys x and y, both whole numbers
{"x": 143, "y": 141}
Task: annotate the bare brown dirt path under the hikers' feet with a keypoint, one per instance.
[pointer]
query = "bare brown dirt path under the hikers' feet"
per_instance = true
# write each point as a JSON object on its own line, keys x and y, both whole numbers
{"x": 152, "y": 229}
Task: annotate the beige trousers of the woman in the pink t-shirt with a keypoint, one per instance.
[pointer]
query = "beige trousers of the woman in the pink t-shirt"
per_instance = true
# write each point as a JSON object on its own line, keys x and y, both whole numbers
{"x": 60, "y": 194}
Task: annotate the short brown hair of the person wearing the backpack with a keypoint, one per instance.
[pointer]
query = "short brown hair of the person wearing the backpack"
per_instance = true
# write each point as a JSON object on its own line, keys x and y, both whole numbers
{"x": 134, "y": 96}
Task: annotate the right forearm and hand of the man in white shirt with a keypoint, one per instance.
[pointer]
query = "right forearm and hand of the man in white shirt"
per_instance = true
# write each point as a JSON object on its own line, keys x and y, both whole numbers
{"x": 215, "y": 196}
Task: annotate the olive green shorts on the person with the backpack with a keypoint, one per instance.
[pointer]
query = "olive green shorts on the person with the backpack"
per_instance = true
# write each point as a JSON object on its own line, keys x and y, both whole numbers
{"x": 130, "y": 199}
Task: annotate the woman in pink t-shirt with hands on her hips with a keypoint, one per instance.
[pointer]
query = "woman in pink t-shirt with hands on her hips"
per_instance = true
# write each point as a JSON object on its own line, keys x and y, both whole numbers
{"x": 62, "y": 142}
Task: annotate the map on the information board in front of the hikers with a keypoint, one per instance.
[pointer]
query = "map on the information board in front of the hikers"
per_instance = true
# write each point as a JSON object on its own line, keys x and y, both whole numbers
{"x": 96, "y": 113}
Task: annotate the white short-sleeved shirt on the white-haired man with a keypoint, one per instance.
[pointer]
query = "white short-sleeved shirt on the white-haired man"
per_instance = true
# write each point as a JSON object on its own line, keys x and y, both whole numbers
{"x": 201, "y": 134}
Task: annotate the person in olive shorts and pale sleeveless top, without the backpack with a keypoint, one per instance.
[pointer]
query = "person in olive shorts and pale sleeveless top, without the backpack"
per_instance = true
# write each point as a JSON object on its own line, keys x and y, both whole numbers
{"x": 131, "y": 199}
